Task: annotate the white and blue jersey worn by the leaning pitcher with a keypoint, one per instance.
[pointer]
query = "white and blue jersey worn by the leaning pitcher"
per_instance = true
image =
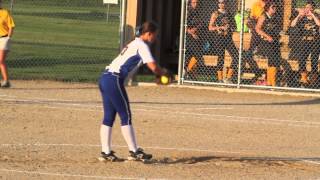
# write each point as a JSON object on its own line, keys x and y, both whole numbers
{"x": 135, "y": 54}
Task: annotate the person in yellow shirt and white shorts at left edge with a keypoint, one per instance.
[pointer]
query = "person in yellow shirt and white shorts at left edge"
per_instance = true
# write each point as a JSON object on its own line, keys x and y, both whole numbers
{"x": 6, "y": 31}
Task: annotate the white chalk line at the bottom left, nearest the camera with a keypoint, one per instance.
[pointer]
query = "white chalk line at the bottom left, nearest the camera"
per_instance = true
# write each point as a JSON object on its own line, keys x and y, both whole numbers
{"x": 65, "y": 174}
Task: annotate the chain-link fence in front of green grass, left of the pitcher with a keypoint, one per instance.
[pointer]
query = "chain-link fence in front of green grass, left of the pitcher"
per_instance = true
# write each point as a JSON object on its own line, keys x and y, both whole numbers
{"x": 68, "y": 40}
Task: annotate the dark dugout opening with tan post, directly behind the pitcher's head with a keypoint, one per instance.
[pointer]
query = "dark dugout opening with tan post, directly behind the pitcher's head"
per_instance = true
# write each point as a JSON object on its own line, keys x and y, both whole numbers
{"x": 166, "y": 13}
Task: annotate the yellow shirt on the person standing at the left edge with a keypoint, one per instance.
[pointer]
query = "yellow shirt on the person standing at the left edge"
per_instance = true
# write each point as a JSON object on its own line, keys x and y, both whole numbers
{"x": 6, "y": 22}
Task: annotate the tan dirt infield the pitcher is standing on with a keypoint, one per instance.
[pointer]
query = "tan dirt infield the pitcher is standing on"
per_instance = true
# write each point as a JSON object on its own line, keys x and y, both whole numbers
{"x": 50, "y": 130}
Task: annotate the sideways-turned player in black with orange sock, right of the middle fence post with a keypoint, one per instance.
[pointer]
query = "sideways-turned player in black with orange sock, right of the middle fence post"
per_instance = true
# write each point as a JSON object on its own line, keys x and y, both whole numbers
{"x": 268, "y": 30}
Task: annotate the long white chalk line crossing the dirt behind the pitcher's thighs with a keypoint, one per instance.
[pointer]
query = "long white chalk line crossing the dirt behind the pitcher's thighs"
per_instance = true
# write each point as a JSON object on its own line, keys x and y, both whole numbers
{"x": 232, "y": 118}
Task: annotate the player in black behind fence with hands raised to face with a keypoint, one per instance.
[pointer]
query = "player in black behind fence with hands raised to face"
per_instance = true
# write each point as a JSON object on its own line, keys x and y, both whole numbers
{"x": 307, "y": 23}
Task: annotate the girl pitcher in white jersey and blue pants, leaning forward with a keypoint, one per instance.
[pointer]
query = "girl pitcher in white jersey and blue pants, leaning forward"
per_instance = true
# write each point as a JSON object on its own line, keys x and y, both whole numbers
{"x": 114, "y": 95}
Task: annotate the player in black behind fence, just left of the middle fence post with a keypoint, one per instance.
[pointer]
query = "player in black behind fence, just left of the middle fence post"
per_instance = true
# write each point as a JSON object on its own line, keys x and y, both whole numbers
{"x": 220, "y": 25}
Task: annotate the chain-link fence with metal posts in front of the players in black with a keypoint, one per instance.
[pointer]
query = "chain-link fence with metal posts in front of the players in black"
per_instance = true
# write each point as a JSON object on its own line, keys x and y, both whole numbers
{"x": 264, "y": 44}
